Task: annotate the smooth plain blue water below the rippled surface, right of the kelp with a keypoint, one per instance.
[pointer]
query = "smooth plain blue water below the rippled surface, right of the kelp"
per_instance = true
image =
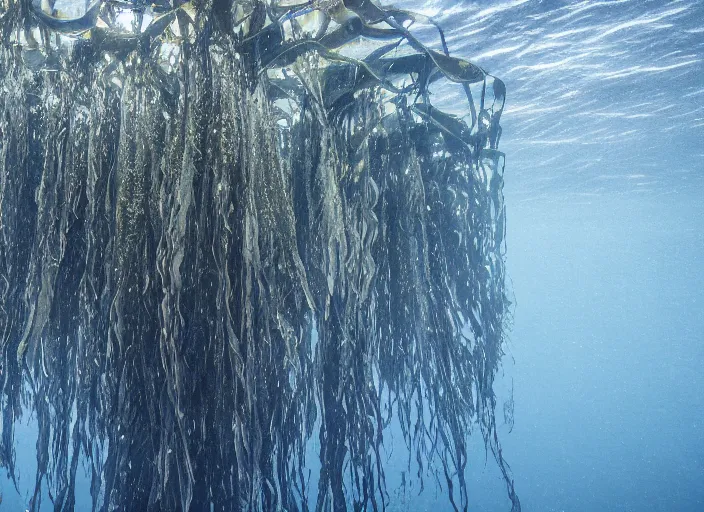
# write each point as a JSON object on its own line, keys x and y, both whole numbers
{"x": 608, "y": 349}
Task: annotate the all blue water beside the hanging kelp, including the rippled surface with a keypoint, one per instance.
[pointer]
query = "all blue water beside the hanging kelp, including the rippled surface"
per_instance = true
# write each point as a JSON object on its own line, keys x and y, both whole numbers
{"x": 604, "y": 137}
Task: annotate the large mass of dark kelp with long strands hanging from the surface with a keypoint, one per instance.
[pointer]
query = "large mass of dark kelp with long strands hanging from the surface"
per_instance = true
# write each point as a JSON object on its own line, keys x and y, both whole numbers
{"x": 228, "y": 228}
